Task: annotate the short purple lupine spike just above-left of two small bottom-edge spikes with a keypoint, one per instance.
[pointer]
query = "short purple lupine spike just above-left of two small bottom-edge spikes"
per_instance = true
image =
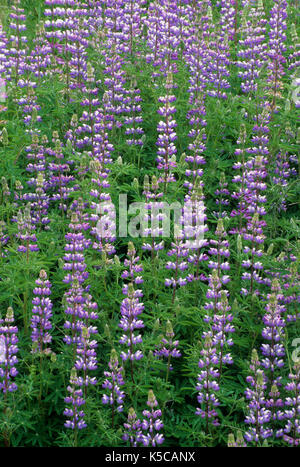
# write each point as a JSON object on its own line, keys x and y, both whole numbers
{"x": 114, "y": 379}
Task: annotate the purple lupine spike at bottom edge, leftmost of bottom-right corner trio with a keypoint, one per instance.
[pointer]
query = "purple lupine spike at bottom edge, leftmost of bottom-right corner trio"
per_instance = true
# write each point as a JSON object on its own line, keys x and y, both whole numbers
{"x": 258, "y": 415}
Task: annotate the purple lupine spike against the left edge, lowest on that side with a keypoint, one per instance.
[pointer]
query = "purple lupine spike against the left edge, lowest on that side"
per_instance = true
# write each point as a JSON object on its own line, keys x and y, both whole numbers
{"x": 8, "y": 351}
